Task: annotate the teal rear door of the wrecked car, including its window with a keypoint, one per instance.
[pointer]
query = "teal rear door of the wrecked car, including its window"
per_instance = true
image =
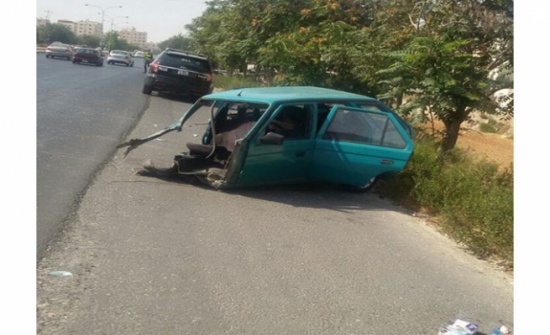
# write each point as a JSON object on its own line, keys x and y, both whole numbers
{"x": 355, "y": 145}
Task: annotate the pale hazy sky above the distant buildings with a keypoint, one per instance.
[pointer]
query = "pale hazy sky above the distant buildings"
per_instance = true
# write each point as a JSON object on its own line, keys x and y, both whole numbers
{"x": 160, "y": 19}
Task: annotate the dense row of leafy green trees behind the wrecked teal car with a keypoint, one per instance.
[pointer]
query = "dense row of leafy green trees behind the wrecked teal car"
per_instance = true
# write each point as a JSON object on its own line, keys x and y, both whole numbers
{"x": 447, "y": 57}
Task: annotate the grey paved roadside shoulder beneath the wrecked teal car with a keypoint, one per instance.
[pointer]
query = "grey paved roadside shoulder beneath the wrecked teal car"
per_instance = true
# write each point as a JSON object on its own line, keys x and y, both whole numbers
{"x": 149, "y": 256}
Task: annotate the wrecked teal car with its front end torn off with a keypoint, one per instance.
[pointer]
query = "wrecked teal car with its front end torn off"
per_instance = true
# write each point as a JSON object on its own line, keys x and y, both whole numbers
{"x": 274, "y": 135}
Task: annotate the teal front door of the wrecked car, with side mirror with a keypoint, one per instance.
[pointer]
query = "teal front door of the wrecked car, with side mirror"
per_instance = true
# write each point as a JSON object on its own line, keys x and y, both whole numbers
{"x": 287, "y": 161}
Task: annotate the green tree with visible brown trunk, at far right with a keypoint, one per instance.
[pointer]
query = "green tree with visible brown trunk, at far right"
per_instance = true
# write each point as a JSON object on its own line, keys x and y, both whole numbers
{"x": 446, "y": 64}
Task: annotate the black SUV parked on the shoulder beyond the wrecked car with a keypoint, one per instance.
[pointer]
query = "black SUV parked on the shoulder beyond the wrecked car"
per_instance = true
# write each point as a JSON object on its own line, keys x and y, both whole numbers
{"x": 180, "y": 72}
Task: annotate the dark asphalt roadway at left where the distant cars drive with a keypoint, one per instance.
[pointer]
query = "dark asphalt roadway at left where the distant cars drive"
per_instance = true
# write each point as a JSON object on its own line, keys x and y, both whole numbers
{"x": 82, "y": 112}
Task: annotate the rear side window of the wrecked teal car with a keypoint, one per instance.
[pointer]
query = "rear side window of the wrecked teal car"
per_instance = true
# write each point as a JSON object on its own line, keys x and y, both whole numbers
{"x": 363, "y": 127}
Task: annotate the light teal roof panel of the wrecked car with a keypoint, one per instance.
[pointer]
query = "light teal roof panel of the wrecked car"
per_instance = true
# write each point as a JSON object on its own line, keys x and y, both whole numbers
{"x": 285, "y": 94}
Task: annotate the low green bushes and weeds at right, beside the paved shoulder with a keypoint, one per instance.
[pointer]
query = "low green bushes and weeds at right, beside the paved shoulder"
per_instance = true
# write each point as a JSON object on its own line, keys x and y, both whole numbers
{"x": 473, "y": 198}
